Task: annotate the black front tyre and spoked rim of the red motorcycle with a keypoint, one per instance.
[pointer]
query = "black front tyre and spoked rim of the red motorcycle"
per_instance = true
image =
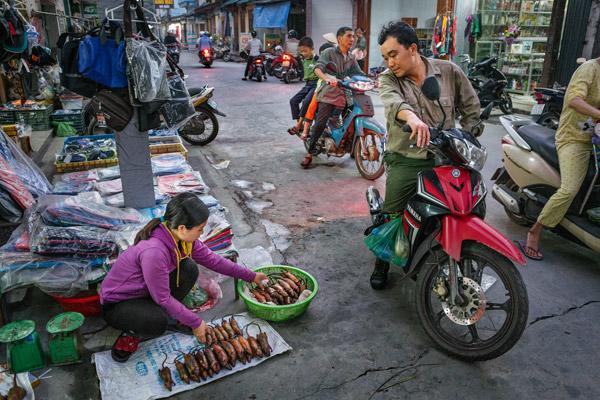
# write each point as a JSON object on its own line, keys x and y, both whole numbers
{"x": 516, "y": 307}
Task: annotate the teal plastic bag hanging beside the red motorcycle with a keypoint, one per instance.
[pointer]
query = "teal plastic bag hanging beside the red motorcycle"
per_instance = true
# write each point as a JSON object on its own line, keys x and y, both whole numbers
{"x": 389, "y": 243}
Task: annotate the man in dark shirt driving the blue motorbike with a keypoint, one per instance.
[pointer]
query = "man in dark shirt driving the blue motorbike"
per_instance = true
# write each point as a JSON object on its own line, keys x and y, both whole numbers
{"x": 329, "y": 97}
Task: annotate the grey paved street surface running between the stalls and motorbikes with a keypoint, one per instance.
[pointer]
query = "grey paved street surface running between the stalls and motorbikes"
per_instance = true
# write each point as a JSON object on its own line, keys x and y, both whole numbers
{"x": 356, "y": 343}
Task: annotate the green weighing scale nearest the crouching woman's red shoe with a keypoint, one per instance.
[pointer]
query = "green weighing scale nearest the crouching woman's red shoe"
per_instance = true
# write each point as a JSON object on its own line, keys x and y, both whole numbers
{"x": 62, "y": 345}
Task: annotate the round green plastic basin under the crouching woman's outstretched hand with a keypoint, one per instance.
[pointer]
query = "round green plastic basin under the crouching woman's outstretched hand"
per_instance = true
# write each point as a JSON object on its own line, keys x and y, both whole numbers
{"x": 274, "y": 312}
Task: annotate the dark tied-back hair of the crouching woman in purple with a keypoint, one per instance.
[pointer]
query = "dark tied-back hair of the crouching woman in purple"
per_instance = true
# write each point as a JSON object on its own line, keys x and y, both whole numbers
{"x": 184, "y": 209}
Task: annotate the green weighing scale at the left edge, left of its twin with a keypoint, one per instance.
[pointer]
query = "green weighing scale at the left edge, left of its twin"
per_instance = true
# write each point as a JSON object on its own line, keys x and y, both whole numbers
{"x": 23, "y": 346}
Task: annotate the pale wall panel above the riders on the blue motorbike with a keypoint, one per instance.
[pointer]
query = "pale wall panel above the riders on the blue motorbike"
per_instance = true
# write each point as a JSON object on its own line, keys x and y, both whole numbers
{"x": 328, "y": 16}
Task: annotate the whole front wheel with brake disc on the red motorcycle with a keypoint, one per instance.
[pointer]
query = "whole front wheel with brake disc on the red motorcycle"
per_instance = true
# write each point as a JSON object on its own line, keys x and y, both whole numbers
{"x": 496, "y": 301}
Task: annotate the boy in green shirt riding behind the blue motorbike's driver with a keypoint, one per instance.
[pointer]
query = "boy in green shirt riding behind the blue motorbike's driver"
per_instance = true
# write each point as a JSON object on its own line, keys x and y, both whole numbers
{"x": 304, "y": 96}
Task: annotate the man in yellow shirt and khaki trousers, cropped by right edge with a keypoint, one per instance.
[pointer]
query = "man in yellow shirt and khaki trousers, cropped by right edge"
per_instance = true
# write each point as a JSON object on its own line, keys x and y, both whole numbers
{"x": 574, "y": 146}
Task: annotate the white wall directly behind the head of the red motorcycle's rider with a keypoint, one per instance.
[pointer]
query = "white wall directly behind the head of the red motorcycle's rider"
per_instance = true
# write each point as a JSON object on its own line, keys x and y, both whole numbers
{"x": 383, "y": 11}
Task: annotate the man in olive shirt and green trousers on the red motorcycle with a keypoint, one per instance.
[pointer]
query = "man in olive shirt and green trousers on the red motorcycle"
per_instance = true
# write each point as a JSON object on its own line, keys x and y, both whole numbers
{"x": 400, "y": 91}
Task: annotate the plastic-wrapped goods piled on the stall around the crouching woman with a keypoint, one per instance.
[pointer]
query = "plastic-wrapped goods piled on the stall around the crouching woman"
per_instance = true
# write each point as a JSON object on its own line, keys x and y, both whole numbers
{"x": 71, "y": 232}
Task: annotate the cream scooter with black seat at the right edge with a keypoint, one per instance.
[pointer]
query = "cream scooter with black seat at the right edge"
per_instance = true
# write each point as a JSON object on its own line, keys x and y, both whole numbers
{"x": 531, "y": 174}
